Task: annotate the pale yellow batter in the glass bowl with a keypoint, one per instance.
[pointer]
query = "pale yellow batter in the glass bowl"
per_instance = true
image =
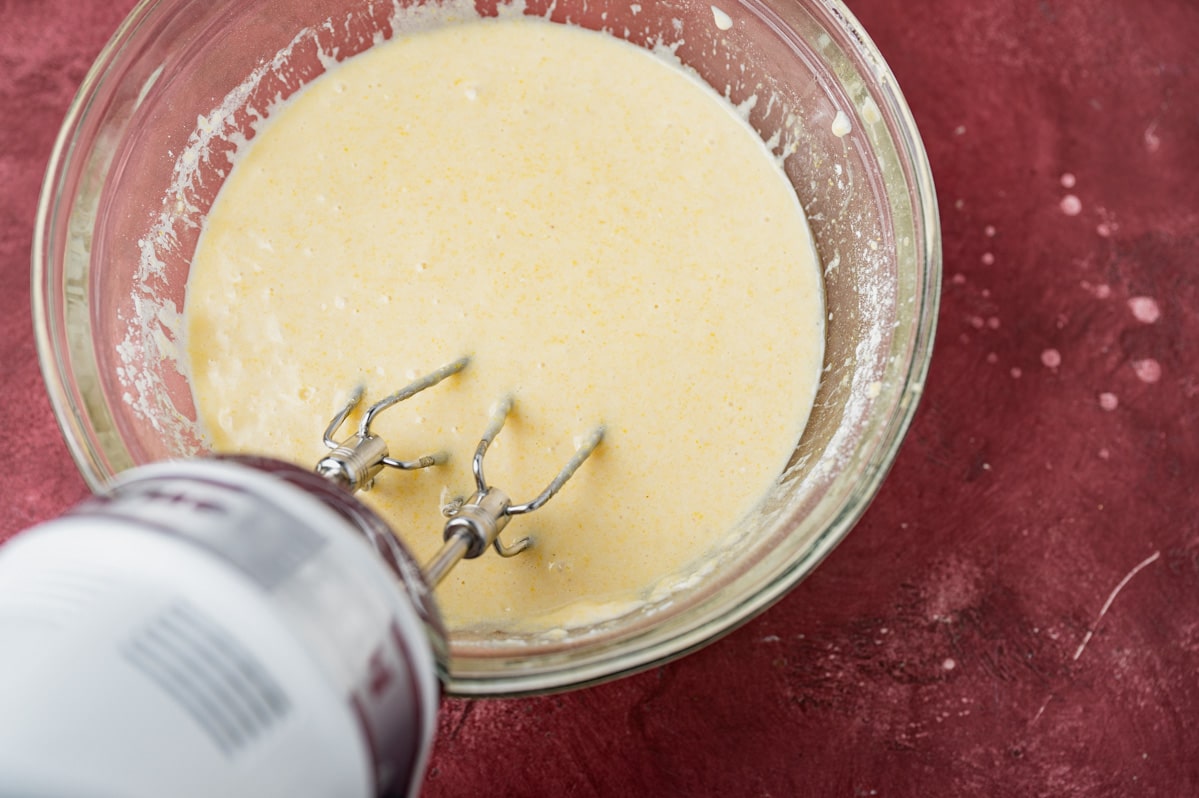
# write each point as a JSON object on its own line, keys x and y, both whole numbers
{"x": 597, "y": 228}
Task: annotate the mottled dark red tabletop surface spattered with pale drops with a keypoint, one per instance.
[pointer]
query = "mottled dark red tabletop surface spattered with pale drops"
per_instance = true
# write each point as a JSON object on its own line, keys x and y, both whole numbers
{"x": 941, "y": 650}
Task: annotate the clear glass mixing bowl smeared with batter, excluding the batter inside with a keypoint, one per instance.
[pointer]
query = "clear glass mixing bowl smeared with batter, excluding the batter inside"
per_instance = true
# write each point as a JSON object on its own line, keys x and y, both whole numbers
{"x": 144, "y": 150}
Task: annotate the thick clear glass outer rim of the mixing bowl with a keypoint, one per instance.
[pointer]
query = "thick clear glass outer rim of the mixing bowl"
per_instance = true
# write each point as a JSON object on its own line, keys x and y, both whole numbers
{"x": 75, "y": 422}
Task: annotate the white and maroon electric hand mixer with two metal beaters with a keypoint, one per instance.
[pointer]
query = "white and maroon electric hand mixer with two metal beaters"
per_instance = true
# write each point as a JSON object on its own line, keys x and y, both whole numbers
{"x": 237, "y": 627}
